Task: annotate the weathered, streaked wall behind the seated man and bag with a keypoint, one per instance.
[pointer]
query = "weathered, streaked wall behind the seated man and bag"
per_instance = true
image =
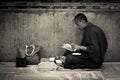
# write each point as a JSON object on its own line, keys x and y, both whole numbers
{"x": 51, "y": 29}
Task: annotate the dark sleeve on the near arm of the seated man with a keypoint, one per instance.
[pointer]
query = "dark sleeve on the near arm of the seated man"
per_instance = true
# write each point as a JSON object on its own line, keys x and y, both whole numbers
{"x": 92, "y": 45}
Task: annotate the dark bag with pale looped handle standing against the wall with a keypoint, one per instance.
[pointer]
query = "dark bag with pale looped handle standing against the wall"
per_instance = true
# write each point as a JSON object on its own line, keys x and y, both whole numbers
{"x": 28, "y": 55}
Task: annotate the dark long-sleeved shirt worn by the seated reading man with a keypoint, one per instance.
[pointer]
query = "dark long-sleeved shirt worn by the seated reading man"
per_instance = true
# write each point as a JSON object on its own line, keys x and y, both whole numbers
{"x": 95, "y": 41}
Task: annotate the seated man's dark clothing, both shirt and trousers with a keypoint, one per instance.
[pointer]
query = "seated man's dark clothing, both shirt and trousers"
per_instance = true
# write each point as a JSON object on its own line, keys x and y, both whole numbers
{"x": 95, "y": 41}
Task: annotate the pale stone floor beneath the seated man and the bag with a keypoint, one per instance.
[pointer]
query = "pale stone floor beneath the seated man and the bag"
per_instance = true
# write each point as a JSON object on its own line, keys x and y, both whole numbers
{"x": 49, "y": 71}
